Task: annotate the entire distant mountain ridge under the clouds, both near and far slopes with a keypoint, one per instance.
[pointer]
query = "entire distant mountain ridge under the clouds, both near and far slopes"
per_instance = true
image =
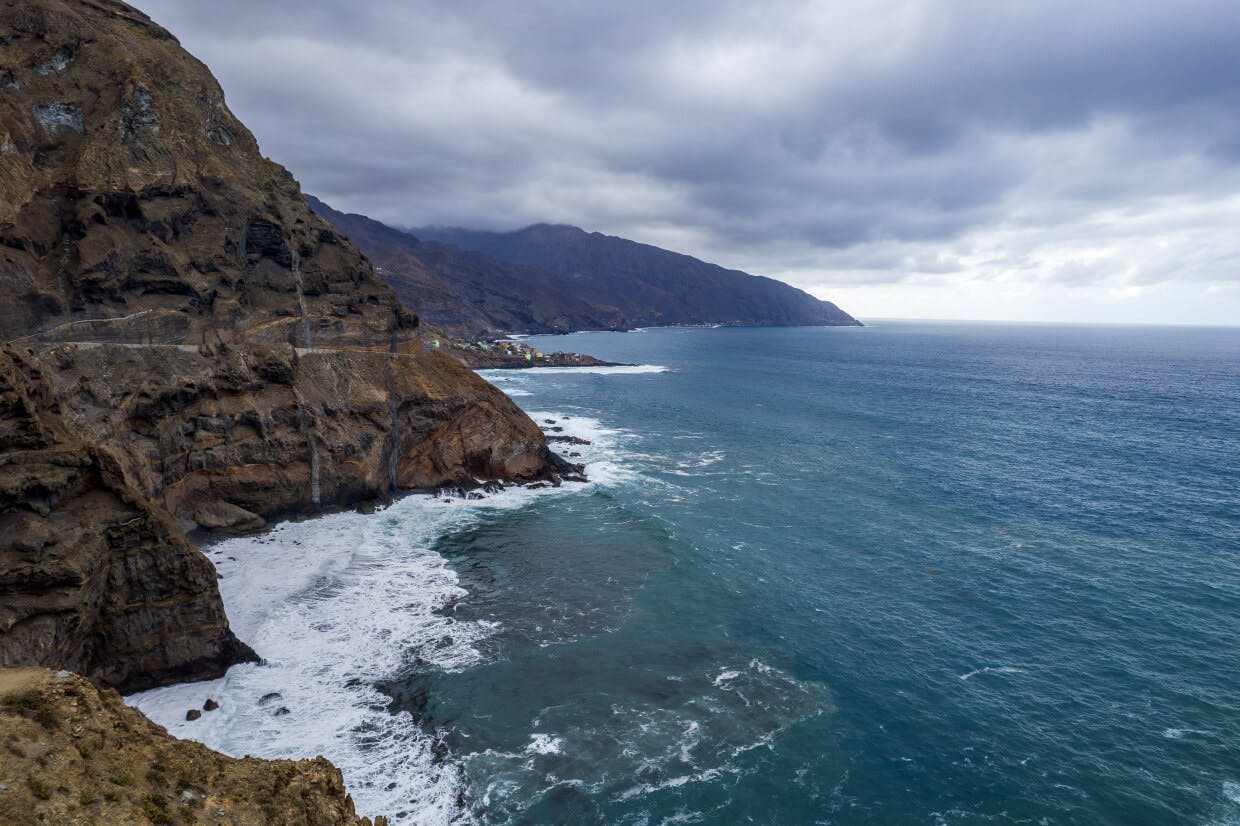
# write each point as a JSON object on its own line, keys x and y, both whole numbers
{"x": 561, "y": 278}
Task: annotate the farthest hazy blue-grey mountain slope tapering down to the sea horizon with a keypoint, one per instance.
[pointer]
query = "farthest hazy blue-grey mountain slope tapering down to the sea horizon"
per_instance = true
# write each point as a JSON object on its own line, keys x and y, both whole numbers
{"x": 648, "y": 285}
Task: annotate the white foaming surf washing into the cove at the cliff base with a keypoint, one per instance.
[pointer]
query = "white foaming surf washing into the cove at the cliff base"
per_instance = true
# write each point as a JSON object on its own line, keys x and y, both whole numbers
{"x": 344, "y": 603}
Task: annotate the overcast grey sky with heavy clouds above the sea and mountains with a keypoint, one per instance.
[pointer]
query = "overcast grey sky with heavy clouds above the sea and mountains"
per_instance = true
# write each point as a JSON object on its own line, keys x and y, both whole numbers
{"x": 981, "y": 159}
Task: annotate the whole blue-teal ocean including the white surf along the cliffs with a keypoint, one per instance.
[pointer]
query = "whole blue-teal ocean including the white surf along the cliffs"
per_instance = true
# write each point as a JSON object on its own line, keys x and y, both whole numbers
{"x": 908, "y": 574}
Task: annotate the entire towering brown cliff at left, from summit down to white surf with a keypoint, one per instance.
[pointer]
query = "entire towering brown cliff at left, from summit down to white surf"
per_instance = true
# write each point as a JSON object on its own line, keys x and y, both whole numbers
{"x": 195, "y": 348}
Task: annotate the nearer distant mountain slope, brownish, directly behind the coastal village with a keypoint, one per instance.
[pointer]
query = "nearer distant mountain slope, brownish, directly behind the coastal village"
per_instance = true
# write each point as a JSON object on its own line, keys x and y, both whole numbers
{"x": 469, "y": 293}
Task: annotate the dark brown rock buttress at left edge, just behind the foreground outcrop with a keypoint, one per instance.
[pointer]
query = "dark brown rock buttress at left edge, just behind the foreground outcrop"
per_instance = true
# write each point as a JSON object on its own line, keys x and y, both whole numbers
{"x": 94, "y": 577}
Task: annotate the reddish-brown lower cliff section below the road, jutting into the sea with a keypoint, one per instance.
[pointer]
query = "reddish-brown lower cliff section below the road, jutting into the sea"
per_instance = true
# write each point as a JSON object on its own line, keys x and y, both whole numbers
{"x": 229, "y": 437}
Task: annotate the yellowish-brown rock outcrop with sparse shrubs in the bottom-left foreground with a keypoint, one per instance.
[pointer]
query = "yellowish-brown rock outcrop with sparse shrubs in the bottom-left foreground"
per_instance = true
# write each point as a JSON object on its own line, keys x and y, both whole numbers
{"x": 77, "y": 756}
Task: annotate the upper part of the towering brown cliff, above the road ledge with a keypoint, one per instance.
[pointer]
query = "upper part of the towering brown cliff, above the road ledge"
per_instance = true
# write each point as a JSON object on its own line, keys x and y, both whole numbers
{"x": 138, "y": 209}
